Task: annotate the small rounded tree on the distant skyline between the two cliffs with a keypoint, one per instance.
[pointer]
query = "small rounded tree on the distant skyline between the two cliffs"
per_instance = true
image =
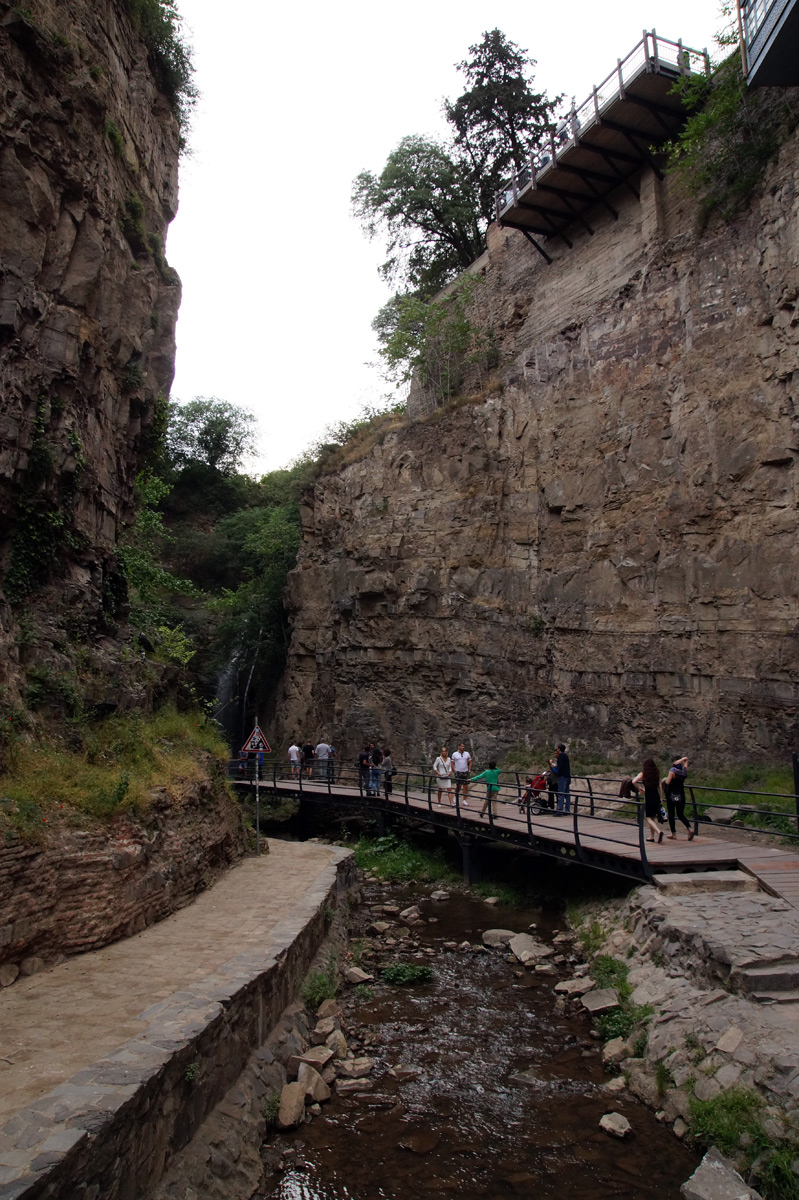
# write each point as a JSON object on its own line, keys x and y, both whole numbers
{"x": 211, "y": 433}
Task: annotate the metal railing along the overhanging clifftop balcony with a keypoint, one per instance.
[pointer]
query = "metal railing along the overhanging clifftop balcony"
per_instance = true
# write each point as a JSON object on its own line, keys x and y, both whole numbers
{"x": 652, "y": 51}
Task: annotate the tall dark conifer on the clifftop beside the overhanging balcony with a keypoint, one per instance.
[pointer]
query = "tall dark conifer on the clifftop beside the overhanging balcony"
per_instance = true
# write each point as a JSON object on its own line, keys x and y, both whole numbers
{"x": 500, "y": 118}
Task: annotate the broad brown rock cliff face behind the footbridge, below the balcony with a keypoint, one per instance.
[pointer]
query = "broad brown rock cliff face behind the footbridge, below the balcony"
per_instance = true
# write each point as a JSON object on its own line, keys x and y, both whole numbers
{"x": 605, "y": 548}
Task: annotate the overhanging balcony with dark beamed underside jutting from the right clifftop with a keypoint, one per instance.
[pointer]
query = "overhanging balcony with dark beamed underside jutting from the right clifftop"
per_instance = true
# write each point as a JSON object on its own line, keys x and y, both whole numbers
{"x": 603, "y": 145}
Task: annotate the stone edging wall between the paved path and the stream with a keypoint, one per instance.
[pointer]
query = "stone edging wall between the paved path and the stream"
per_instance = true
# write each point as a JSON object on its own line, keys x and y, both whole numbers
{"x": 110, "y": 1131}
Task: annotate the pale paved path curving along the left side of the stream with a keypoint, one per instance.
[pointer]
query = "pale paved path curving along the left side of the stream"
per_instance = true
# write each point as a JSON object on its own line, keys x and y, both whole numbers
{"x": 55, "y": 1024}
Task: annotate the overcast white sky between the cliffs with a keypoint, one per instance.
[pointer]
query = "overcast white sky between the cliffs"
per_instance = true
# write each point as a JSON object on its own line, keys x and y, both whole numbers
{"x": 280, "y": 285}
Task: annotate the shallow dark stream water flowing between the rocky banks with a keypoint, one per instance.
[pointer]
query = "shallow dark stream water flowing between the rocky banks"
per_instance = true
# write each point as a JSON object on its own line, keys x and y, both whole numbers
{"x": 466, "y": 1127}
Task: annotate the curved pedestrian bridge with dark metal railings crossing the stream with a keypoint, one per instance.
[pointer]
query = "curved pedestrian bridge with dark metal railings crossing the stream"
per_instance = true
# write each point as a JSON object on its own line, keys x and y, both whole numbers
{"x": 602, "y": 831}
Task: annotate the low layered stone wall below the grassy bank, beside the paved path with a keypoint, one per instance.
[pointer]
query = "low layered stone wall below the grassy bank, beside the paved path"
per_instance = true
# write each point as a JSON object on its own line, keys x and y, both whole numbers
{"x": 83, "y": 889}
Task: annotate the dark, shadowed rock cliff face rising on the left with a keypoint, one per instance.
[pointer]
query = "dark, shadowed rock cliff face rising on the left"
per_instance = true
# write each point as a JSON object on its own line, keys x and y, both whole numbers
{"x": 88, "y": 185}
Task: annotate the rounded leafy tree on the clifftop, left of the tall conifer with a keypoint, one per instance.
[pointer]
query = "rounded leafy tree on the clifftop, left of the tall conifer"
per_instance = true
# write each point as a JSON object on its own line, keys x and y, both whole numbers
{"x": 428, "y": 205}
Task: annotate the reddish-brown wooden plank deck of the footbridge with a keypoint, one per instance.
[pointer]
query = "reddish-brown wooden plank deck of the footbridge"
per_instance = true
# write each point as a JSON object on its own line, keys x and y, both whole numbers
{"x": 609, "y": 841}
